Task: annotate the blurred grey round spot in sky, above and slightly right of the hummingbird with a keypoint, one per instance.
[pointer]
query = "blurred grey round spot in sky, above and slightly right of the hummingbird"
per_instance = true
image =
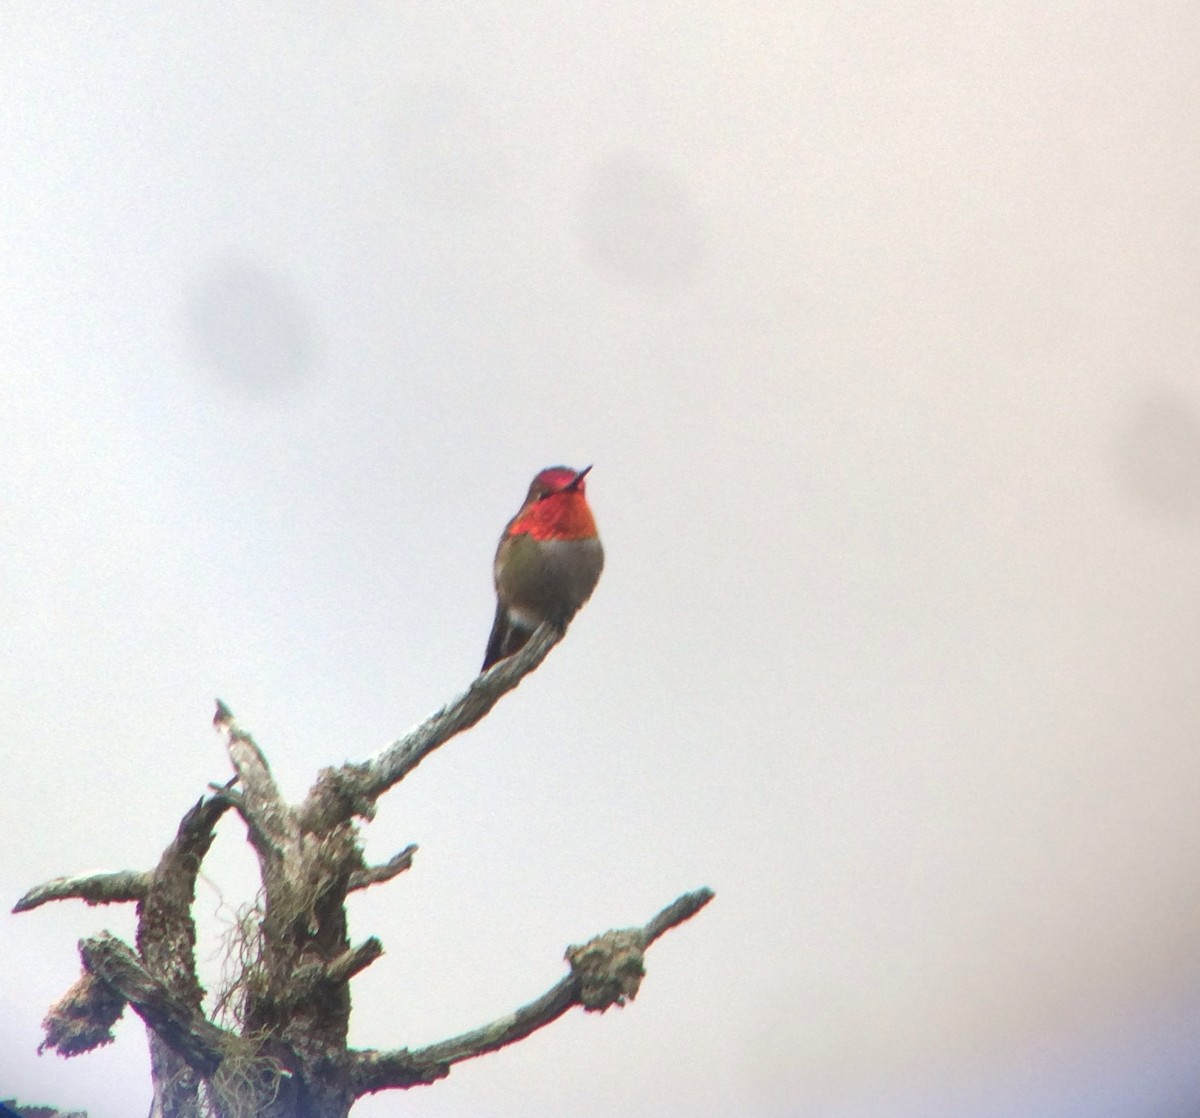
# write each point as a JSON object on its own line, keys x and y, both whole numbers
{"x": 640, "y": 224}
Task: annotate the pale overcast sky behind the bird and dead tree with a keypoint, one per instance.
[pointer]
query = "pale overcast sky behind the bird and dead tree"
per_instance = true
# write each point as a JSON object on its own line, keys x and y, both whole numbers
{"x": 880, "y": 324}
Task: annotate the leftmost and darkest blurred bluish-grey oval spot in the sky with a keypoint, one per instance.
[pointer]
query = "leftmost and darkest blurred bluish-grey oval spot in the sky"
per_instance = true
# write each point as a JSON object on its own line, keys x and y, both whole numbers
{"x": 250, "y": 328}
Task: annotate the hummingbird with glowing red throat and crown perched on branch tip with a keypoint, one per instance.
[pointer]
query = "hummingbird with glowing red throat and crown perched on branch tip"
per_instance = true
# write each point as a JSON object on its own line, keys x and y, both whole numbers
{"x": 548, "y": 563}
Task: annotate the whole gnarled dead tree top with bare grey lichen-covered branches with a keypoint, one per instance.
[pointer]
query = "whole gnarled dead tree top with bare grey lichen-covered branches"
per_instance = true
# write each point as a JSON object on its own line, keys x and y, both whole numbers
{"x": 286, "y": 1055}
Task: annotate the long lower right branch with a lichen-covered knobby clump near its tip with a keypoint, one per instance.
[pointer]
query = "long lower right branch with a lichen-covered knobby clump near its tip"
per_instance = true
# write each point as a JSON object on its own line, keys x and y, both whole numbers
{"x": 609, "y": 959}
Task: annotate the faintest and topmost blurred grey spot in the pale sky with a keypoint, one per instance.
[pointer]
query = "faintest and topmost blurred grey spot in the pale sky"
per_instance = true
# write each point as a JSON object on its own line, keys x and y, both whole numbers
{"x": 443, "y": 151}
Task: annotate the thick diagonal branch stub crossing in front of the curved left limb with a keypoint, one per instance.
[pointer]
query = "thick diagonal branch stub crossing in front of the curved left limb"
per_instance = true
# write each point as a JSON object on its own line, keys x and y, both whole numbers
{"x": 184, "y": 1029}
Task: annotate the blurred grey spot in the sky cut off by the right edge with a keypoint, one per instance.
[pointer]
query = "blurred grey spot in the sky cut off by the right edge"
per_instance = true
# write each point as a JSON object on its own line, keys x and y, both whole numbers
{"x": 1159, "y": 456}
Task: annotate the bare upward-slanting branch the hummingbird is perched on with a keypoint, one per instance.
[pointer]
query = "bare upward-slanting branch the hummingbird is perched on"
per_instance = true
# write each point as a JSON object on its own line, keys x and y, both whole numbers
{"x": 353, "y": 789}
